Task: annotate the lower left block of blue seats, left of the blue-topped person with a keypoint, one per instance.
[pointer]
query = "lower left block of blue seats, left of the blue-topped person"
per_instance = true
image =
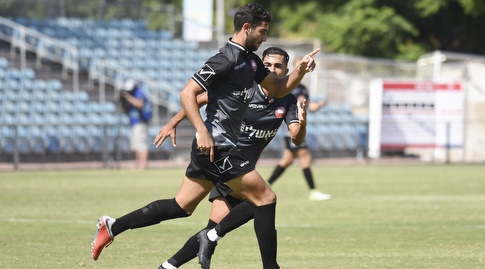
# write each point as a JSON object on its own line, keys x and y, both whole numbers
{"x": 46, "y": 119}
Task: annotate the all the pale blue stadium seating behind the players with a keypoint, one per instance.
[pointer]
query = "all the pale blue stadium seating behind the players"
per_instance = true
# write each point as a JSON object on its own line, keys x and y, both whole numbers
{"x": 40, "y": 117}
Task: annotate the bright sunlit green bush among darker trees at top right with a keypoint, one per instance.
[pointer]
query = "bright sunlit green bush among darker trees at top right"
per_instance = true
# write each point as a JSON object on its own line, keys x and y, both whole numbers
{"x": 363, "y": 29}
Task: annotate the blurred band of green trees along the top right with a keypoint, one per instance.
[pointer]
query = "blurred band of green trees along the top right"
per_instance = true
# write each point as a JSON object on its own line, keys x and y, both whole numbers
{"x": 384, "y": 28}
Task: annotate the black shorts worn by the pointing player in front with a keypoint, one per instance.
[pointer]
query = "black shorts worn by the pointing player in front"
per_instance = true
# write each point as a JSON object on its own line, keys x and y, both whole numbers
{"x": 229, "y": 163}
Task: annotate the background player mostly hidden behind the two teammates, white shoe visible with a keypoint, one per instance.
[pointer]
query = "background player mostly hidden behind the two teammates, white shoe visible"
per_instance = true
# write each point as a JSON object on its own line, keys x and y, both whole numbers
{"x": 293, "y": 151}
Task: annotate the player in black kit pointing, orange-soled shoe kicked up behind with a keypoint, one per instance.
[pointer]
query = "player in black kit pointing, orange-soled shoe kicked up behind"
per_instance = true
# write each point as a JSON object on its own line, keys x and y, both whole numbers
{"x": 228, "y": 79}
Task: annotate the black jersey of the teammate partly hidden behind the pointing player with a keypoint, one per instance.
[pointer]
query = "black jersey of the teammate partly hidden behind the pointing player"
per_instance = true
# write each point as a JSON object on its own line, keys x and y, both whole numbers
{"x": 262, "y": 120}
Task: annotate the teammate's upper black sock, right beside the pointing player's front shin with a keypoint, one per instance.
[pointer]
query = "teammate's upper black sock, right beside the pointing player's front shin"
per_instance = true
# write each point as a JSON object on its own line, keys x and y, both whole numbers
{"x": 239, "y": 215}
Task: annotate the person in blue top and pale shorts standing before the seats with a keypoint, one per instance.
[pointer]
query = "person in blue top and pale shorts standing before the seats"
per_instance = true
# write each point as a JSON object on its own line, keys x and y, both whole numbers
{"x": 137, "y": 105}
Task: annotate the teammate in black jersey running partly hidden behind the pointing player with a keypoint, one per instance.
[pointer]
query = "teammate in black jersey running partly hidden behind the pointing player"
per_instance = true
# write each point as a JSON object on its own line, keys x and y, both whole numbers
{"x": 260, "y": 124}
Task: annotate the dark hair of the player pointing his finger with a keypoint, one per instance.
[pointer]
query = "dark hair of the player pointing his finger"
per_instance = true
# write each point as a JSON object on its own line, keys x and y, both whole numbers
{"x": 252, "y": 13}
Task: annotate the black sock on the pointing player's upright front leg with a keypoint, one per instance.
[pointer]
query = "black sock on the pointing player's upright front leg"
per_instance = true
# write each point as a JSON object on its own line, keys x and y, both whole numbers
{"x": 264, "y": 226}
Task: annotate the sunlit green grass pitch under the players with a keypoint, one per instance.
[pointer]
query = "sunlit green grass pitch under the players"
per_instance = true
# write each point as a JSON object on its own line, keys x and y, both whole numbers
{"x": 409, "y": 216}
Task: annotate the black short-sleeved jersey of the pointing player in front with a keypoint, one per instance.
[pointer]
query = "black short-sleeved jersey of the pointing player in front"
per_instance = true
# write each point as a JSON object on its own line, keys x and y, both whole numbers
{"x": 228, "y": 78}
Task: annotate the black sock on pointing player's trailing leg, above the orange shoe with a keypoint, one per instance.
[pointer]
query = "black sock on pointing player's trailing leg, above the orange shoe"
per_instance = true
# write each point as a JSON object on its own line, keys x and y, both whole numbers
{"x": 151, "y": 214}
